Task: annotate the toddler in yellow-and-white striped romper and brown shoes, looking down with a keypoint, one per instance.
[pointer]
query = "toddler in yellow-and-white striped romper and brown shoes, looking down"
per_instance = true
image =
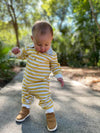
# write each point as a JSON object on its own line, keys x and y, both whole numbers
{"x": 41, "y": 60}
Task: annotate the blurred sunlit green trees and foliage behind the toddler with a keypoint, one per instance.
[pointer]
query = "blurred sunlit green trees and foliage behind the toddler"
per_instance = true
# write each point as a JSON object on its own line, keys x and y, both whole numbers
{"x": 76, "y": 25}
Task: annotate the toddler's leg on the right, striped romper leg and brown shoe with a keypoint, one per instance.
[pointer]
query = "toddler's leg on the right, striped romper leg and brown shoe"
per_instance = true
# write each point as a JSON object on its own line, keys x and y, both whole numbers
{"x": 41, "y": 91}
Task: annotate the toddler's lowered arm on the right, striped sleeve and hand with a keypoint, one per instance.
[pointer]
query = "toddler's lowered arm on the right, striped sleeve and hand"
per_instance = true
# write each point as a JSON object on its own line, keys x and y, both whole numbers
{"x": 56, "y": 69}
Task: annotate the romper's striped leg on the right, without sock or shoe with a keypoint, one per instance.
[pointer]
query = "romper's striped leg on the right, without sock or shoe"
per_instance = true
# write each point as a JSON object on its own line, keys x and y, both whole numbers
{"x": 41, "y": 91}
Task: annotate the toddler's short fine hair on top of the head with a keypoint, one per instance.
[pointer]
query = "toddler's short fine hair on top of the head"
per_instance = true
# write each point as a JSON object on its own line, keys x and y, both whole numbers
{"x": 41, "y": 28}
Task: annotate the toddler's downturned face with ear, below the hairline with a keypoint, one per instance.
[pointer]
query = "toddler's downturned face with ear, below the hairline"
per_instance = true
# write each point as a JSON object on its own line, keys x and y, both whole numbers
{"x": 43, "y": 42}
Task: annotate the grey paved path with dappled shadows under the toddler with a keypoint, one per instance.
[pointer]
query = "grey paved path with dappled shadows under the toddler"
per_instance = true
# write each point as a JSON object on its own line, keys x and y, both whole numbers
{"x": 77, "y": 108}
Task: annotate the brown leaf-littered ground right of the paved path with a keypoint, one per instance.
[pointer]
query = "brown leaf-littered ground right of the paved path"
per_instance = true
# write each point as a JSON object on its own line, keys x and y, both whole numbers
{"x": 89, "y": 77}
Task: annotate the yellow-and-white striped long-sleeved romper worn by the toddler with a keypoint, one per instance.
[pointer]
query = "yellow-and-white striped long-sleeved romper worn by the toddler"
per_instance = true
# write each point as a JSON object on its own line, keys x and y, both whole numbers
{"x": 36, "y": 75}
